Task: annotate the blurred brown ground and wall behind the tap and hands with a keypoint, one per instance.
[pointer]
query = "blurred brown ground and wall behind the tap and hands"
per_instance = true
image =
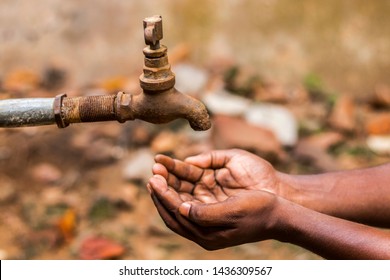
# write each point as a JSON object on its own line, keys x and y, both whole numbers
{"x": 303, "y": 84}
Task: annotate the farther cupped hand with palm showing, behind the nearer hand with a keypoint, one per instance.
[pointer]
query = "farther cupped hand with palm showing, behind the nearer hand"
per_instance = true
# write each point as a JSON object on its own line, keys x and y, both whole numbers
{"x": 231, "y": 169}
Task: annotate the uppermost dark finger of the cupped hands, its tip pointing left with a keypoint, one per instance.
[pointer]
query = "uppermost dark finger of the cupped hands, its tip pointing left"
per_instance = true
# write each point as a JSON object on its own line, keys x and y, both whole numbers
{"x": 179, "y": 168}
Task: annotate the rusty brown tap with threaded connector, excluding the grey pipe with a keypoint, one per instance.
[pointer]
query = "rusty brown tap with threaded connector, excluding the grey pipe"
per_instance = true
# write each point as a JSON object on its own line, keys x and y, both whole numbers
{"x": 159, "y": 102}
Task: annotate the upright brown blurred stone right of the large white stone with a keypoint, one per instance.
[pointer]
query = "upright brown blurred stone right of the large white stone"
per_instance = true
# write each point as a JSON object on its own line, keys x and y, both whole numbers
{"x": 343, "y": 115}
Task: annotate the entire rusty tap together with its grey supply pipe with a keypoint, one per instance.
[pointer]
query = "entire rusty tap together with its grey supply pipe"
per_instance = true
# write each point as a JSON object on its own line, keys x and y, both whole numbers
{"x": 159, "y": 102}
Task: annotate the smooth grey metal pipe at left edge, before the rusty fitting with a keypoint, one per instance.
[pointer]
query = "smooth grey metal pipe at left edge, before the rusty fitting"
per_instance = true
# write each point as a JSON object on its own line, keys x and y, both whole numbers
{"x": 26, "y": 112}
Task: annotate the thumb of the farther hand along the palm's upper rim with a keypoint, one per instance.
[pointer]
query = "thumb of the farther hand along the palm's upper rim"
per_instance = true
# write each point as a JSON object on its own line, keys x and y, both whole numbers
{"x": 213, "y": 159}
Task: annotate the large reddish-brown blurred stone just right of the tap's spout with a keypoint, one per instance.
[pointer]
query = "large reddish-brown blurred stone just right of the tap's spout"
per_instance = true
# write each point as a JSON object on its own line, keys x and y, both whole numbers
{"x": 232, "y": 132}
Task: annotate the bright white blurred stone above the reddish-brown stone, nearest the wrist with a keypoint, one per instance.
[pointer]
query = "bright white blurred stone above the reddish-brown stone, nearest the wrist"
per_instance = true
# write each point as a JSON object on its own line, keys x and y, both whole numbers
{"x": 277, "y": 119}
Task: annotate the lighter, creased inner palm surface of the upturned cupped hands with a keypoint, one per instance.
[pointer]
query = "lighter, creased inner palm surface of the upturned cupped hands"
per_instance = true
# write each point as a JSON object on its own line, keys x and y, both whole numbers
{"x": 216, "y": 179}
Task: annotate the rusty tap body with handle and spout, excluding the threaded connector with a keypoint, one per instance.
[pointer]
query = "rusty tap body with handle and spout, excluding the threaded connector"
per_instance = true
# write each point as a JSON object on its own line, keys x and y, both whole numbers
{"x": 159, "y": 101}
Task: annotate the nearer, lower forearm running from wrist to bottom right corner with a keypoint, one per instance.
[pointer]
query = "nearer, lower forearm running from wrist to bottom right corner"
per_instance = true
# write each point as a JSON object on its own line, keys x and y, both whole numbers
{"x": 330, "y": 237}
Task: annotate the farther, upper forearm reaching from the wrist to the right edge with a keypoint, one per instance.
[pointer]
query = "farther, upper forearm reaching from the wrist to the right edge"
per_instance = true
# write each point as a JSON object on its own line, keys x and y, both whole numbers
{"x": 358, "y": 195}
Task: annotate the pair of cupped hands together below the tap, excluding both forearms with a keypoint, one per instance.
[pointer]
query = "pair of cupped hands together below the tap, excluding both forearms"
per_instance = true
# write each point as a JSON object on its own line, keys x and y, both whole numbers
{"x": 216, "y": 199}
